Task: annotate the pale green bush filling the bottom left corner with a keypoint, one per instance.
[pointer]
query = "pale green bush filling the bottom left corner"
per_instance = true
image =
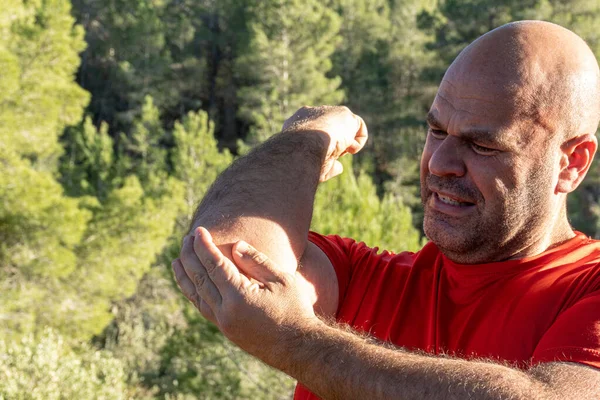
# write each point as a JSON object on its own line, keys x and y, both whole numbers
{"x": 46, "y": 368}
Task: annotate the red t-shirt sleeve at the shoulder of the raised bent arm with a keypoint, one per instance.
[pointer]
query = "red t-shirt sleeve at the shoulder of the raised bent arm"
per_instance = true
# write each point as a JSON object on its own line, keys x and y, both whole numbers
{"x": 343, "y": 253}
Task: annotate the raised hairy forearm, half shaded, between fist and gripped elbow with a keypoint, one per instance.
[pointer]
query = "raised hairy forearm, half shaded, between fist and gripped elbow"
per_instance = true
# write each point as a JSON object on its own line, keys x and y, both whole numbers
{"x": 266, "y": 197}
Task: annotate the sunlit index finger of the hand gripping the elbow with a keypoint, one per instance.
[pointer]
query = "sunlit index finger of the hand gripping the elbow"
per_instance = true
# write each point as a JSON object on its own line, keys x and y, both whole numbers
{"x": 221, "y": 270}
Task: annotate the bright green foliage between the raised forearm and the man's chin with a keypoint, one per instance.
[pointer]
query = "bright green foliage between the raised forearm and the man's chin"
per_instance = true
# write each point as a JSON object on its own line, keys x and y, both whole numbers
{"x": 349, "y": 206}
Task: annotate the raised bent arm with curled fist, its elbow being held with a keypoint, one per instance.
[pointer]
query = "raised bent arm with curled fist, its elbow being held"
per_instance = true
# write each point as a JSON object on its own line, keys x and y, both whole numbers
{"x": 266, "y": 198}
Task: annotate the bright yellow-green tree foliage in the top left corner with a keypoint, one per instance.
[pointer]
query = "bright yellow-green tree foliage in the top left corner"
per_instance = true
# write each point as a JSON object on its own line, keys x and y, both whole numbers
{"x": 38, "y": 59}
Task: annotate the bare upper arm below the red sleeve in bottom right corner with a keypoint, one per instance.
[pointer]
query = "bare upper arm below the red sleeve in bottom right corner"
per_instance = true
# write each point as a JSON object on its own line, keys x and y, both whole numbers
{"x": 567, "y": 381}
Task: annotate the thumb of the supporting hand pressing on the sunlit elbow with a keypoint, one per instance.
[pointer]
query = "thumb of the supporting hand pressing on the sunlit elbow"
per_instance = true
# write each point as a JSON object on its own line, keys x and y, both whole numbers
{"x": 256, "y": 264}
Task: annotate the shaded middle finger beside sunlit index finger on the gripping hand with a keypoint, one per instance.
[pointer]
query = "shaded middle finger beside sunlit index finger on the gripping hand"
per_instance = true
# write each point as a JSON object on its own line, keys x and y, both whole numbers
{"x": 196, "y": 272}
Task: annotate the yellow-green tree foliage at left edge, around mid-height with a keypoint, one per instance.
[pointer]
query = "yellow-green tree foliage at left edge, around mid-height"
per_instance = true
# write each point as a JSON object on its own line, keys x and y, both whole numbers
{"x": 40, "y": 227}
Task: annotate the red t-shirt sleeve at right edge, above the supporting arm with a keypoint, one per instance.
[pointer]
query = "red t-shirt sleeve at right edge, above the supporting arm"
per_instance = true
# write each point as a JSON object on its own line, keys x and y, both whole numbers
{"x": 574, "y": 336}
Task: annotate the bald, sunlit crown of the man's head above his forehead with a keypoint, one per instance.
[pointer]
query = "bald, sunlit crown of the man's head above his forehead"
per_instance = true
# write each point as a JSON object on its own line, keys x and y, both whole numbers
{"x": 547, "y": 71}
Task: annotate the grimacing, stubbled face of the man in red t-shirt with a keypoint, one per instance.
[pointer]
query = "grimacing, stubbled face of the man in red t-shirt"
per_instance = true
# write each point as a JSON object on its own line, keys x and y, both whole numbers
{"x": 487, "y": 173}
